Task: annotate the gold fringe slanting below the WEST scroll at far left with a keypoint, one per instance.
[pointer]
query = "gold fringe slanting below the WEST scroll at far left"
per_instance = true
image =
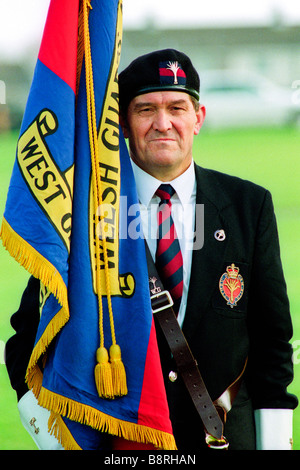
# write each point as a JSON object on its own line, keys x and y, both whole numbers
{"x": 34, "y": 263}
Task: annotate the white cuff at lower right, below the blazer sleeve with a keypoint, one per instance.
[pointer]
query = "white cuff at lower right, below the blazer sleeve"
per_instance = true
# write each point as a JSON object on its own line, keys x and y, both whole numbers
{"x": 274, "y": 429}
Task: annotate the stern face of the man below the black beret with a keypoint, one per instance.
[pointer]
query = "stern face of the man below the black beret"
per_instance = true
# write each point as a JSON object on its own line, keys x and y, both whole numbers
{"x": 160, "y": 128}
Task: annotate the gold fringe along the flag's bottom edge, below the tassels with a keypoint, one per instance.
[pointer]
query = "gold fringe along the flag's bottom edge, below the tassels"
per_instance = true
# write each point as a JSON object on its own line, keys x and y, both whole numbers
{"x": 84, "y": 414}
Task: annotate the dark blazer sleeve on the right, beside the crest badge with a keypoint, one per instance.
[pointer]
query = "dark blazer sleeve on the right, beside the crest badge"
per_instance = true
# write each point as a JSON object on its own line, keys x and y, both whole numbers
{"x": 270, "y": 366}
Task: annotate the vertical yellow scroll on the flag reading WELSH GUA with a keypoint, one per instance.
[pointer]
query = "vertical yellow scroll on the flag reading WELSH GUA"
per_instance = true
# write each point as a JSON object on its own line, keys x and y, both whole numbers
{"x": 104, "y": 220}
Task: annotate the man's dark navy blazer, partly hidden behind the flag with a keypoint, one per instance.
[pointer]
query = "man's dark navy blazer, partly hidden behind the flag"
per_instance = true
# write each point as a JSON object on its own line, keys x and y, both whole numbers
{"x": 221, "y": 337}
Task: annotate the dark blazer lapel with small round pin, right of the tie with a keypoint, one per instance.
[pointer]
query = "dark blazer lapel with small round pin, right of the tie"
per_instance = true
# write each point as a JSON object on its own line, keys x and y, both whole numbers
{"x": 207, "y": 262}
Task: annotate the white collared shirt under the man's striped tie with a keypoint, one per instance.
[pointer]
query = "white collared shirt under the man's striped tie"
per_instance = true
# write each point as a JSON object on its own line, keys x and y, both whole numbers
{"x": 183, "y": 213}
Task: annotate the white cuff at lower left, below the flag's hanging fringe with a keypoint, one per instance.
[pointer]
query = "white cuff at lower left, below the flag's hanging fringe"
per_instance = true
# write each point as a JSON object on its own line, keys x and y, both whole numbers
{"x": 35, "y": 420}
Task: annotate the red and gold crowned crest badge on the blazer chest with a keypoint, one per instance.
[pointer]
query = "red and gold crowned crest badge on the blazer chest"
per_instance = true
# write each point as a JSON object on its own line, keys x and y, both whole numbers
{"x": 231, "y": 285}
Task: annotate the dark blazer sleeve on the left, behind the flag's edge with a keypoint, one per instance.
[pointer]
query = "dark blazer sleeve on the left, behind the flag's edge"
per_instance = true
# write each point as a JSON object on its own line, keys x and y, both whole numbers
{"x": 19, "y": 347}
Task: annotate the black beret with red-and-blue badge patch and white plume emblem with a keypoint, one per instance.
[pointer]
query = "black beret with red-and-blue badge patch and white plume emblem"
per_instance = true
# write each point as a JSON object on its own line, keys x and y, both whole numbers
{"x": 167, "y": 69}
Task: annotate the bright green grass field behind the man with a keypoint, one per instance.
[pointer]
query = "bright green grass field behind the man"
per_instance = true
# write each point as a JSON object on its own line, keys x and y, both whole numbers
{"x": 268, "y": 157}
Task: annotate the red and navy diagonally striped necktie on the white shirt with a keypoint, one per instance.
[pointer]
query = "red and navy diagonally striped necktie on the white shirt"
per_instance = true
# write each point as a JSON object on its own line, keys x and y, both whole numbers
{"x": 169, "y": 262}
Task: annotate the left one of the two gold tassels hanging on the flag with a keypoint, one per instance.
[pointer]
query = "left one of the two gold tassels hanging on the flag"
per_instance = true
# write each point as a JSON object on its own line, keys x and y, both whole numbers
{"x": 103, "y": 374}
